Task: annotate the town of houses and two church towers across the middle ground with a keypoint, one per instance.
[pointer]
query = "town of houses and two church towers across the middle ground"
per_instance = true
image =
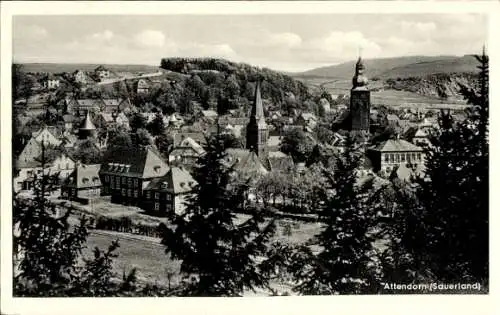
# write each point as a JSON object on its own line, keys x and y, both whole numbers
{"x": 262, "y": 139}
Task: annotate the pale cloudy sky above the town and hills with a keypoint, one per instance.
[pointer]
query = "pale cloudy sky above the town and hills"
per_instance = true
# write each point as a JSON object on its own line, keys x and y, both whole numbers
{"x": 287, "y": 42}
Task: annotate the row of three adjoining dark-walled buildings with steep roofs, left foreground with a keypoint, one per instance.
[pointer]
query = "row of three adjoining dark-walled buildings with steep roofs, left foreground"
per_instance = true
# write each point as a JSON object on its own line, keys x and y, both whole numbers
{"x": 130, "y": 176}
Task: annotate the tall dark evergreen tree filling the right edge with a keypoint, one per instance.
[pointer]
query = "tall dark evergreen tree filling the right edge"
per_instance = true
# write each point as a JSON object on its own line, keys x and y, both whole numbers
{"x": 445, "y": 233}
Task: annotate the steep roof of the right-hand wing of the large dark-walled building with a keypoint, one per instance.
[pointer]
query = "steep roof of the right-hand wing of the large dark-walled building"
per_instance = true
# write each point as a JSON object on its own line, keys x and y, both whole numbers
{"x": 177, "y": 181}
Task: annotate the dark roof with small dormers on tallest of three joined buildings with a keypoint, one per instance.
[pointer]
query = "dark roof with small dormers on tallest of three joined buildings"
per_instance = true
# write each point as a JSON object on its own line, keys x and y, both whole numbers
{"x": 134, "y": 162}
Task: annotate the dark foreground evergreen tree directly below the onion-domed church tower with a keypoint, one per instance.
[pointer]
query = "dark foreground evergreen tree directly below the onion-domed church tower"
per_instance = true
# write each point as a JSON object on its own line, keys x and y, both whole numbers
{"x": 343, "y": 264}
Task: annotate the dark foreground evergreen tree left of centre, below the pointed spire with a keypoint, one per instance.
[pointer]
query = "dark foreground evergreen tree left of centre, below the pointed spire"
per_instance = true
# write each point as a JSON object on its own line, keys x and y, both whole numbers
{"x": 219, "y": 256}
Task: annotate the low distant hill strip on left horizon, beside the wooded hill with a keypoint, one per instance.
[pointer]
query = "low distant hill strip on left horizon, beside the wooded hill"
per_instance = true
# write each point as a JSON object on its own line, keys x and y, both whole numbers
{"x": 70, "y": 67}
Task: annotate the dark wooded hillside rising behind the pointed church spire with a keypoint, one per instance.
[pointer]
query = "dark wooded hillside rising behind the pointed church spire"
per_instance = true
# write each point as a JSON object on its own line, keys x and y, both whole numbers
{"x": 187, "y": 85}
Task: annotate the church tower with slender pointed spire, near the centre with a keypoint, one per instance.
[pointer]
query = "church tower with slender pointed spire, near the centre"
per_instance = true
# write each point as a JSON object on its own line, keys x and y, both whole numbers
{"x": 257, "y": 130}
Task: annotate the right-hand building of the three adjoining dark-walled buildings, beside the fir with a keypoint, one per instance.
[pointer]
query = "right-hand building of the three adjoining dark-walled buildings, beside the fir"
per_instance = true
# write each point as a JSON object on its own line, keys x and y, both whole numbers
{"x": 167, "y": 194}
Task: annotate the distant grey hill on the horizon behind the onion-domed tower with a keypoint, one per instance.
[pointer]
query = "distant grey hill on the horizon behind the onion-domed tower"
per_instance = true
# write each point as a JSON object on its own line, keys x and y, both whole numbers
{"x": 398, "y": 67}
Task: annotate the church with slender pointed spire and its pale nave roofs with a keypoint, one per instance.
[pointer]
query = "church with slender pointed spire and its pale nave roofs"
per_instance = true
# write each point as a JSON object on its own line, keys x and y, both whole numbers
{"x": 256, "y": 159}
